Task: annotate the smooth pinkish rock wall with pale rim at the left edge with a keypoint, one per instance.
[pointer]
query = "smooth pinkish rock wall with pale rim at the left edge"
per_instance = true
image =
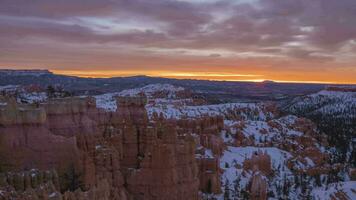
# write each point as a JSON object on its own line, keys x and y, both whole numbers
{"x": 26, "y": 141}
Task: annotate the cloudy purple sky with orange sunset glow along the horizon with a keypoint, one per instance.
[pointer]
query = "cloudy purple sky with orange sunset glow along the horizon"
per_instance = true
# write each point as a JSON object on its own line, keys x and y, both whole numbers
{"x": 253, "y": 40}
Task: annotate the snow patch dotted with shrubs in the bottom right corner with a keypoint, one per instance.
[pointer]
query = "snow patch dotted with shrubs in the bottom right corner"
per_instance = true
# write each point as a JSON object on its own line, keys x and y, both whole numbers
{"x": 329, "y": 191}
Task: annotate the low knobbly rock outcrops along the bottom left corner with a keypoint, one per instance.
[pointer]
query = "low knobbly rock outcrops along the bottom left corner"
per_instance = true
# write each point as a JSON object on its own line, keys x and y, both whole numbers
{"x": 35, "y": 184}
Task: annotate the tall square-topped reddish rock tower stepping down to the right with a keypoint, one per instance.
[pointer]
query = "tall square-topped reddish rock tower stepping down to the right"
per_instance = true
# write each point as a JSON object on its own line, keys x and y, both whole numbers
{"x": 158, "y": 164}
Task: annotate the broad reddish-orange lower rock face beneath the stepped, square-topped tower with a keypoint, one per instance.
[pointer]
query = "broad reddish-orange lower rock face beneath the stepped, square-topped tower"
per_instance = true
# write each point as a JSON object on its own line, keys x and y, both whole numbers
{"x": 167, "y": 171}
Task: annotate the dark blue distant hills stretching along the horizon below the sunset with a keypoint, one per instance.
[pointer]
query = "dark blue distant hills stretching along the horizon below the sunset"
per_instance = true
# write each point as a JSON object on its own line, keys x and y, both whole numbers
{"x": 215, "y": 91}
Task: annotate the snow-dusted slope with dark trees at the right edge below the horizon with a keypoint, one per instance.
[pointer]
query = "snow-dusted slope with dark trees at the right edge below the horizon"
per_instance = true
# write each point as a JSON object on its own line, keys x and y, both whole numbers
{"x": 334, "y": 111}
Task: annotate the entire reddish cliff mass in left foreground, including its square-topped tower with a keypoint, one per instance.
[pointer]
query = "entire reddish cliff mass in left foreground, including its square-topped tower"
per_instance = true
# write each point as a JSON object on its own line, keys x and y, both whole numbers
{"x": 94, "y": 154}
